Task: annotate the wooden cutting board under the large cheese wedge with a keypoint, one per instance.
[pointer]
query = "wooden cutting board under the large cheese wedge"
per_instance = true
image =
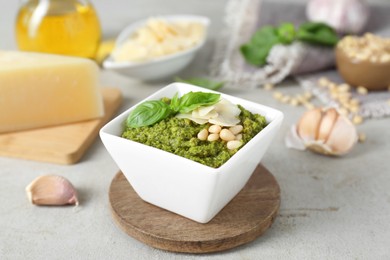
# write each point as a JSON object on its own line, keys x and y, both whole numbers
{"x": 64, "y": 144}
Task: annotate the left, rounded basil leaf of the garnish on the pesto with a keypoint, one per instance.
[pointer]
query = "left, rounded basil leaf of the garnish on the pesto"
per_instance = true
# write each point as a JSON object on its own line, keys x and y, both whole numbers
{"x": 148, "y": 113}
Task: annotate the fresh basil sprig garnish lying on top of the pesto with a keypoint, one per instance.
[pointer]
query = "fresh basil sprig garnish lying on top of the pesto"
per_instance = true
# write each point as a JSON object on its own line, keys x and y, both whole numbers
{"x": 153, "y": 111}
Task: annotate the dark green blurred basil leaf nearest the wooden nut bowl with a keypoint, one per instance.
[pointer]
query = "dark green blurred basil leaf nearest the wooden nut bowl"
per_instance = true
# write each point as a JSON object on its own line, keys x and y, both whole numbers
{"x": 317, "y": 33}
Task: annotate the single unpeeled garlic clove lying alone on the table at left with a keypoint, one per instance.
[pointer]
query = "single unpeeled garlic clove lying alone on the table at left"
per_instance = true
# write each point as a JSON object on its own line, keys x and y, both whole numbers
{"x": 51, "y": 190}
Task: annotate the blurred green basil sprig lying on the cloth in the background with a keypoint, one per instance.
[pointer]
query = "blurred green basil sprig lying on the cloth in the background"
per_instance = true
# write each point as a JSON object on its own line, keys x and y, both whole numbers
{"x": 257, "y": 49}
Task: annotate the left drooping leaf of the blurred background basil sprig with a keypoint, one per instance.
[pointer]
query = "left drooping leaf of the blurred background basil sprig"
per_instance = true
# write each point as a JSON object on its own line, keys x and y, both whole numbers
{"x": 257, "y": 49}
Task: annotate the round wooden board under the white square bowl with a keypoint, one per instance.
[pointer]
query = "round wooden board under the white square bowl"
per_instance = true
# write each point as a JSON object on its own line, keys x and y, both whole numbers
{"x": 245, "y": 218}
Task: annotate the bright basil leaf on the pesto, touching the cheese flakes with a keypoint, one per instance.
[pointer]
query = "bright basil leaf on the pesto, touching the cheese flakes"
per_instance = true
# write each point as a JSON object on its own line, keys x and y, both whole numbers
{"x": 193, "y": 100}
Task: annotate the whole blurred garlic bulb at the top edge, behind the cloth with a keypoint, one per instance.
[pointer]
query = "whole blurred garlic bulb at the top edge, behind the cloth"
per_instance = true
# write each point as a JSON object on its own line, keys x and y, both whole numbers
{"x": 345, "y": 16}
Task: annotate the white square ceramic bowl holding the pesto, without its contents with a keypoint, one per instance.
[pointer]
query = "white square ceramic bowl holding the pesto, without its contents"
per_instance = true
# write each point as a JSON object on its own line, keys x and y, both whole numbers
{"x": 180, "y": 185}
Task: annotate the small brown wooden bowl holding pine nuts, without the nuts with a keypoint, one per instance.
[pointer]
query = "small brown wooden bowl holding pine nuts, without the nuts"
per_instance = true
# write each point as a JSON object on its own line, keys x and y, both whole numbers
{"x": 373, "y": 76}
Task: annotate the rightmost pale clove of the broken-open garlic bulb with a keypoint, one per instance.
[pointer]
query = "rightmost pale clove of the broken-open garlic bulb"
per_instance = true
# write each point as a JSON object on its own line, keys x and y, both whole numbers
{"x": 343, "y": 136}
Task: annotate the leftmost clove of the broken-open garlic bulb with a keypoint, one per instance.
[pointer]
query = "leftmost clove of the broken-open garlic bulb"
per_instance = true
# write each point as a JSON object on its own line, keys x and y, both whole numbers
{"x": 309, "y": 123}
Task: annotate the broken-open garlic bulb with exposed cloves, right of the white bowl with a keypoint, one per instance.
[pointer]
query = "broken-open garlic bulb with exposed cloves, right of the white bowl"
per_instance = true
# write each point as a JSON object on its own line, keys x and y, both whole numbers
{"x": 326, "y": 131}
